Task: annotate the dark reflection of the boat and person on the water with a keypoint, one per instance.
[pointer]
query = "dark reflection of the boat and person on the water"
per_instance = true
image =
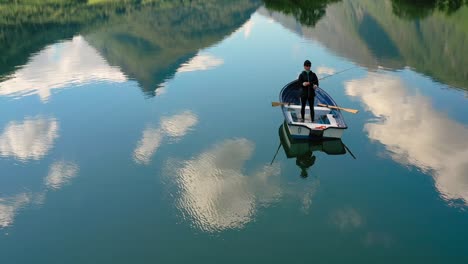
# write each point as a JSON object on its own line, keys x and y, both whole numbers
{"x": 303, "y": 150}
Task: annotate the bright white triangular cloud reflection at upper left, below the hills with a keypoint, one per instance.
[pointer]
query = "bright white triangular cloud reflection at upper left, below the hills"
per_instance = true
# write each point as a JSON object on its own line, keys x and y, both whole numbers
{"x": 58, "y": 66}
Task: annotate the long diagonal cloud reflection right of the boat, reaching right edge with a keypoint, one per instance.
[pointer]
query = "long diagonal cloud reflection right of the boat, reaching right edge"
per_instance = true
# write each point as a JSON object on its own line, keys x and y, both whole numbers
{"x": 415, "y": 133}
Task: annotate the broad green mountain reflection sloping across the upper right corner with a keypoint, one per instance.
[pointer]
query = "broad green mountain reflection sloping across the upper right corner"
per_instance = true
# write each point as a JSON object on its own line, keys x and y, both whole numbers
{"x": 370, "y": 34}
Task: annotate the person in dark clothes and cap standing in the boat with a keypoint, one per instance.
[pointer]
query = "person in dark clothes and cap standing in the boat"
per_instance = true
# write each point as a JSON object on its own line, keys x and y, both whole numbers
{"x": 309, "y": 82}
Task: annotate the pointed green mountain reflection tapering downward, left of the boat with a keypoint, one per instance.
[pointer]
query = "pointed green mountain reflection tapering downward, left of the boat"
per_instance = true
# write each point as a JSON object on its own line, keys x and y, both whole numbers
{"x": 151, "y": 45}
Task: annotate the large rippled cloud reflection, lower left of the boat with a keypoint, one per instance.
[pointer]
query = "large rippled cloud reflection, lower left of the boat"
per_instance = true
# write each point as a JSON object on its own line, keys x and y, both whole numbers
{"x": 213, "y": 192}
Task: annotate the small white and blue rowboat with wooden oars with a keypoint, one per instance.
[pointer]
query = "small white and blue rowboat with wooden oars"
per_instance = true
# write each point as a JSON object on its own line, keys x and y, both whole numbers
{"x": 328, "y": 122}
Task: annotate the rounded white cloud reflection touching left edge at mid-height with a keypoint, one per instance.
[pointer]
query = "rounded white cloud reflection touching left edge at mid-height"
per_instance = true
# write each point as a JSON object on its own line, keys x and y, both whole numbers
{"x": 30, "y": 139}
